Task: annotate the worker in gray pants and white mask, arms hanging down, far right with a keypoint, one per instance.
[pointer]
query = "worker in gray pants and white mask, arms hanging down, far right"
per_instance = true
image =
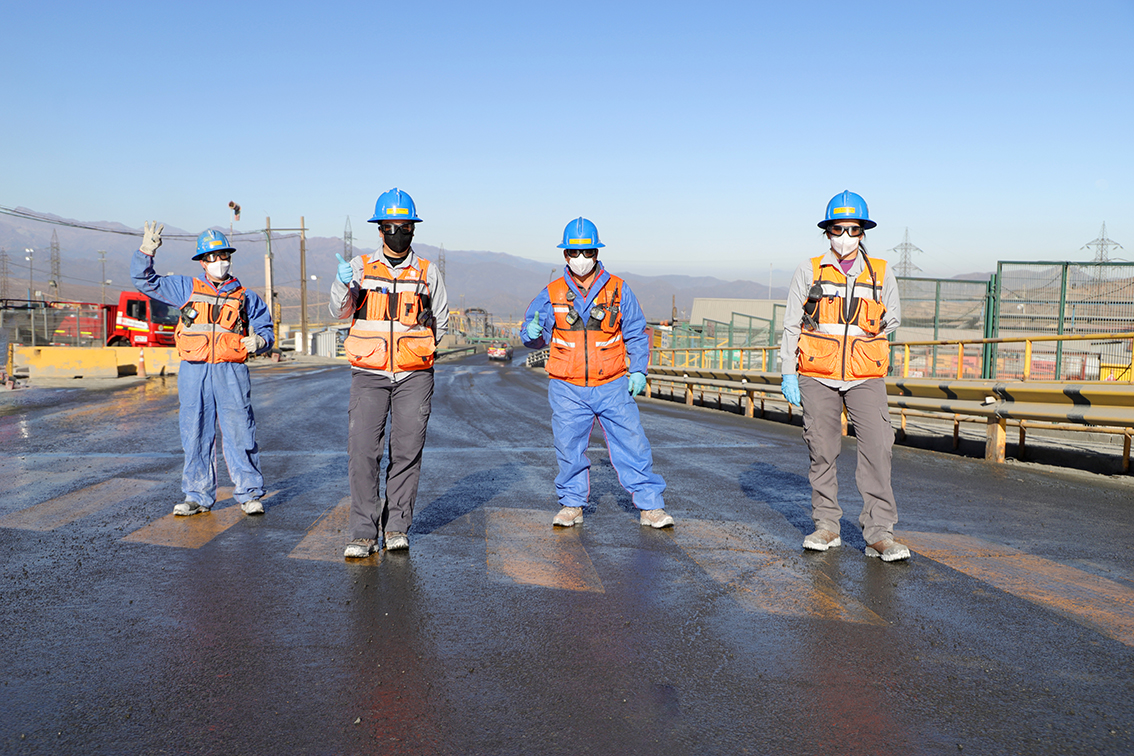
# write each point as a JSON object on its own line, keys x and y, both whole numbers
{"x": 835, "y": 353}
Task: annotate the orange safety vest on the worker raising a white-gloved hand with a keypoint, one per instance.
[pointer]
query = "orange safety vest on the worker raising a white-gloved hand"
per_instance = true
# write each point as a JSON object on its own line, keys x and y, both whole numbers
{"x": 211, "y": 326}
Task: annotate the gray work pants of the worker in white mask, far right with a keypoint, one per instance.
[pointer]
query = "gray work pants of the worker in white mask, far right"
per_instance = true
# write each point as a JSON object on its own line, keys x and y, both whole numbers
{"x": 823, "y": 430}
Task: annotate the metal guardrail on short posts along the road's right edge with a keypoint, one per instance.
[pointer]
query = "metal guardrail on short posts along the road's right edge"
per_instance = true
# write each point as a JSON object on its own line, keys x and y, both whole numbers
{"x": 1098, "y": 407}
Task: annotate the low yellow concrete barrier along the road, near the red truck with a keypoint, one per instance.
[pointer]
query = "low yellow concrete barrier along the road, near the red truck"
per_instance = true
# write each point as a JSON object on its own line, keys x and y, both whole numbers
{"x": 91, "y": 362}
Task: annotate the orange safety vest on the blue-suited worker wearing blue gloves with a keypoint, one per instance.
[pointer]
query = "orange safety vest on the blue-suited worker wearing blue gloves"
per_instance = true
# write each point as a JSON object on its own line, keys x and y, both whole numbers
{"x": 587, "y": 351}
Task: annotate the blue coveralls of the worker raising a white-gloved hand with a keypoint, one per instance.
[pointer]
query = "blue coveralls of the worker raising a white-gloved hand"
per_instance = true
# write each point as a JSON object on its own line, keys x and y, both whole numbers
{"x": 210, "y": 393}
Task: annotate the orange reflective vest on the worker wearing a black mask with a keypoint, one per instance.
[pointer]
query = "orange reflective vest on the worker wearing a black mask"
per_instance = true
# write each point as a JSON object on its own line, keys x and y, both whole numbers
{"x": 393, "y": 327}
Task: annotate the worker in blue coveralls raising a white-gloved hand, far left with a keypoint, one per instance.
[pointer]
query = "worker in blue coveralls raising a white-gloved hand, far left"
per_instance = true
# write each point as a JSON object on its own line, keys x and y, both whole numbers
{"x": 222, "y": 324}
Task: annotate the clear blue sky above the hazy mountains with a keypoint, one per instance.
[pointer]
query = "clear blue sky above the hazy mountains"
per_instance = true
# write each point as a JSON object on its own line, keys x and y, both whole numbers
{"x": 703, "y": 139}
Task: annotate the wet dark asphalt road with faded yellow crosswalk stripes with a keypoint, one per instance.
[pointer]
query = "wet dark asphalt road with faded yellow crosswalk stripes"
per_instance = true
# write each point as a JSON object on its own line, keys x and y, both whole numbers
{"x": 128, "y": 632}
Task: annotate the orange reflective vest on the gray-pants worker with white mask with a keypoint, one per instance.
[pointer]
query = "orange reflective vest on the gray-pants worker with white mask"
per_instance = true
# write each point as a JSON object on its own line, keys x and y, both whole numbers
{"x": 841, "y": 339}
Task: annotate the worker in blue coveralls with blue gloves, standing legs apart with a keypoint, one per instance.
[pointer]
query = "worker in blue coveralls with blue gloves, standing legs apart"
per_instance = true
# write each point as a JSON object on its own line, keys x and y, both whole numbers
{"x": 591, "y": 322}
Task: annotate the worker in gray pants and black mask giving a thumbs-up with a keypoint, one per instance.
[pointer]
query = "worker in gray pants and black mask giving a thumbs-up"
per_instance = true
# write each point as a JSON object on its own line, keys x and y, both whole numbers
{"x": 400, "y": 312}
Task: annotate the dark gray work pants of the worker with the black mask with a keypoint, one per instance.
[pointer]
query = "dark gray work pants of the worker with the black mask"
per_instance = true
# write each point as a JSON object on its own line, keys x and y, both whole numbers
{"x": 408, "y": 403}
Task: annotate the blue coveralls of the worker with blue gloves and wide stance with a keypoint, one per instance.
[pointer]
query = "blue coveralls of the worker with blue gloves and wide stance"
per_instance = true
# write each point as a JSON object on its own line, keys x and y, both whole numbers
{"x": 576, "y": 409}
